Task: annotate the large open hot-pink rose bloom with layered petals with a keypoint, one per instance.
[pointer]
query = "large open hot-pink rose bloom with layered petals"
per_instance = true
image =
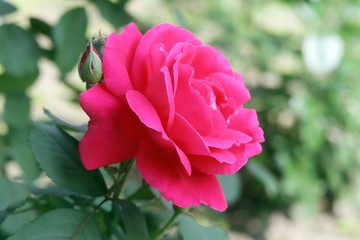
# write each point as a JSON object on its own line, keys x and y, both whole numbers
{"x": 175, "y": 105}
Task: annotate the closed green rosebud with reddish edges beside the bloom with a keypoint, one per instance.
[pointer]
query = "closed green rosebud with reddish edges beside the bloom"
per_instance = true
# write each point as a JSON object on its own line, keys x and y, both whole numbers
{"x": 90, "y": 66}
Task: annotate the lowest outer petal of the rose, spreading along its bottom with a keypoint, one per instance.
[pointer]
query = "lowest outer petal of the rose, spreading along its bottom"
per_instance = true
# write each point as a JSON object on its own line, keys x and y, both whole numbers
{"x": 160, "y": 168}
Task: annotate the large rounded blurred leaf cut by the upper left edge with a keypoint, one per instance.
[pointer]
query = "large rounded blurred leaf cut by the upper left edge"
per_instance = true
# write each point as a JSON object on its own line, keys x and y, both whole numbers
{"x": 19, "y": 51}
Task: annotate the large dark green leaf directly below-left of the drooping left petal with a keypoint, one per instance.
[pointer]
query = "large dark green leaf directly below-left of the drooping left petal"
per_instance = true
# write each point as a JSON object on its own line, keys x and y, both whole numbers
{"x": 57, "y": 154}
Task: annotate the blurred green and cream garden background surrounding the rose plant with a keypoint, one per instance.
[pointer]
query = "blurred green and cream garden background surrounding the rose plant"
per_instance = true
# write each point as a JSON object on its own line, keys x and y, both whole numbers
{"x": 300, "y": 60}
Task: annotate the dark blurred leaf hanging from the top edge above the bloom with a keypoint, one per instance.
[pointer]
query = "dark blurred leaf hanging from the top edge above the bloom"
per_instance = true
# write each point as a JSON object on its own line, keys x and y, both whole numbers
{"x": 114, "y": 12}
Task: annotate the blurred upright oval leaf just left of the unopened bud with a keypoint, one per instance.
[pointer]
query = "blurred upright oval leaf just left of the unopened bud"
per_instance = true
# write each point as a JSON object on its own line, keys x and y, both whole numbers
{"x": 69, "y": 39}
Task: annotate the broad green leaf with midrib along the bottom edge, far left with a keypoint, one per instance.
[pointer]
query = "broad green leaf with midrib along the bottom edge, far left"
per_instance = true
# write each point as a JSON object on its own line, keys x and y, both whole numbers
{"x": 60, "y": 224}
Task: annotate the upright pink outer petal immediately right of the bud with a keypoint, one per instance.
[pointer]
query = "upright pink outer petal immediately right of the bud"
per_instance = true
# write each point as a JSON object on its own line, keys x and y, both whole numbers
{"x": 118, "y": 55}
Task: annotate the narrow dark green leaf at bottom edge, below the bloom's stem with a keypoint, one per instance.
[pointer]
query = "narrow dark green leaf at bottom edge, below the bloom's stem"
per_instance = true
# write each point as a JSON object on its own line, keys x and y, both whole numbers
{"x": 134, "y": 220}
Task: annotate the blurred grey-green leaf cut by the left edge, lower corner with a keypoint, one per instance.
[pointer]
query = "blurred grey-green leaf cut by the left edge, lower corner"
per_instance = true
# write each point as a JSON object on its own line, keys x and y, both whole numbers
{"x": 15, "y": 192}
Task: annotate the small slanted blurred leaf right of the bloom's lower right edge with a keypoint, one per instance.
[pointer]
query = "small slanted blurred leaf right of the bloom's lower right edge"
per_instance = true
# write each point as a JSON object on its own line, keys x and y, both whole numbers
{"x": 263, "y": 175}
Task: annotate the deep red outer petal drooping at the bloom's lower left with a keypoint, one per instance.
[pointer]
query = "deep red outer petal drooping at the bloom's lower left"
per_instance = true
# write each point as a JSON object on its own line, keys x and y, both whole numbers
{"x": 114, "y": 131}
